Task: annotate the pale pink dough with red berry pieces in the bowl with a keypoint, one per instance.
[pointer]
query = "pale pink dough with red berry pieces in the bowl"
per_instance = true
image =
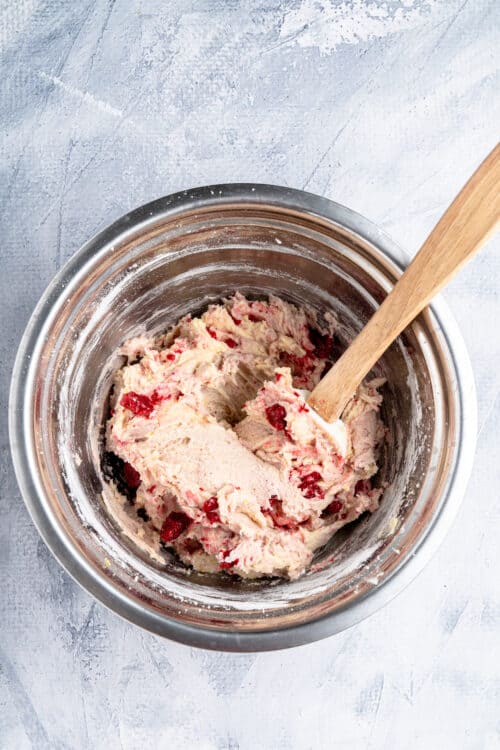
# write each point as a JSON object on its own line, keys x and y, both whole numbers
{"x": 215, "y": 453}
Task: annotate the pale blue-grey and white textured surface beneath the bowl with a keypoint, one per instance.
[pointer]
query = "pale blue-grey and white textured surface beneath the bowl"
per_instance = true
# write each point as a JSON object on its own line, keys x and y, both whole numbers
{"x": 384, "y": 106}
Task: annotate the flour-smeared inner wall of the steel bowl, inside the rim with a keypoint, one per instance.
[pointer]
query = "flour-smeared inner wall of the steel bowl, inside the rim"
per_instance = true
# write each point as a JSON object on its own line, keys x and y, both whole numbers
{"x": 143, "y": 280}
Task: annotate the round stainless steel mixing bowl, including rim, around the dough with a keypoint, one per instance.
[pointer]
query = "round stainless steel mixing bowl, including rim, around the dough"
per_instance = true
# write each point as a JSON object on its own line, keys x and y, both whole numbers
{"x": 175, "y": 256}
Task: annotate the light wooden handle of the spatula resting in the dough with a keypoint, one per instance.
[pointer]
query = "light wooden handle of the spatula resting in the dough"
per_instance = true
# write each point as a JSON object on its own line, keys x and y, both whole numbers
{"x": 465, "y": 226}
